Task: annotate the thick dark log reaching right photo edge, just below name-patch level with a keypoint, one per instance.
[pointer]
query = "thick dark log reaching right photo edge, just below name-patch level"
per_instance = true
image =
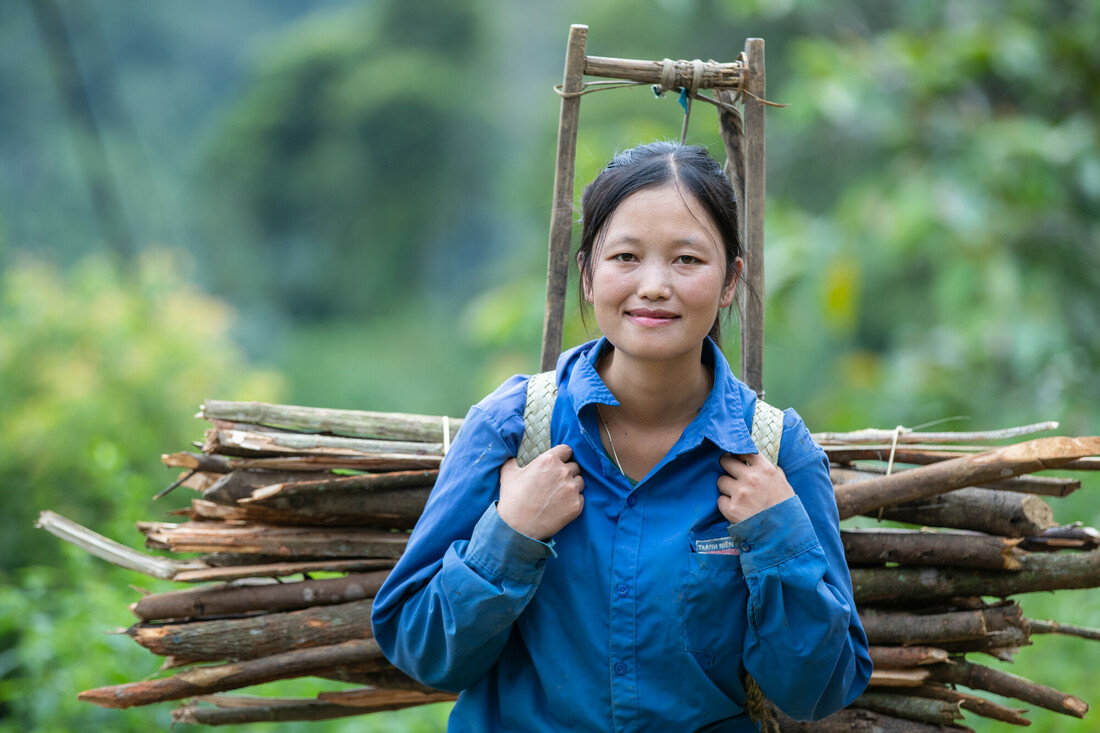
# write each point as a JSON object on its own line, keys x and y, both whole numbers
{"x": 1038, "y": 573}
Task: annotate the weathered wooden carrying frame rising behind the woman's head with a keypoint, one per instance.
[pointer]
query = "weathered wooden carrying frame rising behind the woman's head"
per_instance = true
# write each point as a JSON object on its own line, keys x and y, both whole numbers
{"x": 741, "y": 82}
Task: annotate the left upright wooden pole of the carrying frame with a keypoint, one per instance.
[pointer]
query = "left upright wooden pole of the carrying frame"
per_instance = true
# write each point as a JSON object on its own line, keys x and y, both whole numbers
{"x": 562, "y": 218}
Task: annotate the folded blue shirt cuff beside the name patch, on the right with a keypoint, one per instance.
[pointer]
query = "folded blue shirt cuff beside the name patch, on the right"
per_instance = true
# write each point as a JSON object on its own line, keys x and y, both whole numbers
{"x": 775, "y": 535}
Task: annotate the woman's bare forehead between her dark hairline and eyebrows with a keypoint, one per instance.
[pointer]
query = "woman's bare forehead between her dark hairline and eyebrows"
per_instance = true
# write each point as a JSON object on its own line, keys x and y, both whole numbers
{"x": 662, "y": 211}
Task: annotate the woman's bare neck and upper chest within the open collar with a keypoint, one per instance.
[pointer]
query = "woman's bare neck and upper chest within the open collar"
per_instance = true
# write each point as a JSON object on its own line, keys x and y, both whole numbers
{"x": 657, "y": 393}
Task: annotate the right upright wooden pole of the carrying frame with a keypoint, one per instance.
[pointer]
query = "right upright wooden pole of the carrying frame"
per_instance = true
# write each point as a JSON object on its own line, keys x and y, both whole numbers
{"x": 752, "y": 301}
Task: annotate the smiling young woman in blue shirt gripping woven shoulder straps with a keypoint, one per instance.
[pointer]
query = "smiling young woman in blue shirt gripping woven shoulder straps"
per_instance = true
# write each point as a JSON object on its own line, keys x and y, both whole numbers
{"x": 630, "y": 577}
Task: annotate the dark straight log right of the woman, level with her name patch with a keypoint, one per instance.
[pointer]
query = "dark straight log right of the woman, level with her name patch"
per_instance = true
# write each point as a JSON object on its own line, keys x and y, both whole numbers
{"x": 930, "y": 549}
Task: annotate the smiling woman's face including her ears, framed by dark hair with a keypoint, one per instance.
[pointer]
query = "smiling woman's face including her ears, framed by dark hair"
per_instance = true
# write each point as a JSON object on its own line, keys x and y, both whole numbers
{"x": 658, "y": 276}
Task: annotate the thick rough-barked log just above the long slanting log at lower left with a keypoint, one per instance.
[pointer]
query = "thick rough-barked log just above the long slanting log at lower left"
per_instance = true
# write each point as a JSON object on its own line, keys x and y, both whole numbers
{"x": 260, "y": 636}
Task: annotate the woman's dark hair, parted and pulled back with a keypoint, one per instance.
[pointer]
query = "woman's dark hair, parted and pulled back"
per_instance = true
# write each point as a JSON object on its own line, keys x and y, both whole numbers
{"x": 689, "y": 168}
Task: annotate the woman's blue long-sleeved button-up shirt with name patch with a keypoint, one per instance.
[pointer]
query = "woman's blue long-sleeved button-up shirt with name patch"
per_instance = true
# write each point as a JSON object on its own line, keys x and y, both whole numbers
{"x": 644, "y": 612}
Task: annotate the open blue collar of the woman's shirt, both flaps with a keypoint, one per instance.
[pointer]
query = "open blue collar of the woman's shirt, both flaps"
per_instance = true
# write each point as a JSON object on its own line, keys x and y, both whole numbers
{"x": 722, "y": 419}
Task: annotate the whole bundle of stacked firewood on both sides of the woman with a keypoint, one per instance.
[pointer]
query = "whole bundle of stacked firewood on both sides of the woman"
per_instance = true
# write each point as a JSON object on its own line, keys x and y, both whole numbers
{"x": 327, "y": 497}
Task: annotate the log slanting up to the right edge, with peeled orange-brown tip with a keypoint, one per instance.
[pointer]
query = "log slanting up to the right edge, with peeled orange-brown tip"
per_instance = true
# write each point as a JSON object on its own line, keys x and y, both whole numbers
{"x": 998, "y": 464}
